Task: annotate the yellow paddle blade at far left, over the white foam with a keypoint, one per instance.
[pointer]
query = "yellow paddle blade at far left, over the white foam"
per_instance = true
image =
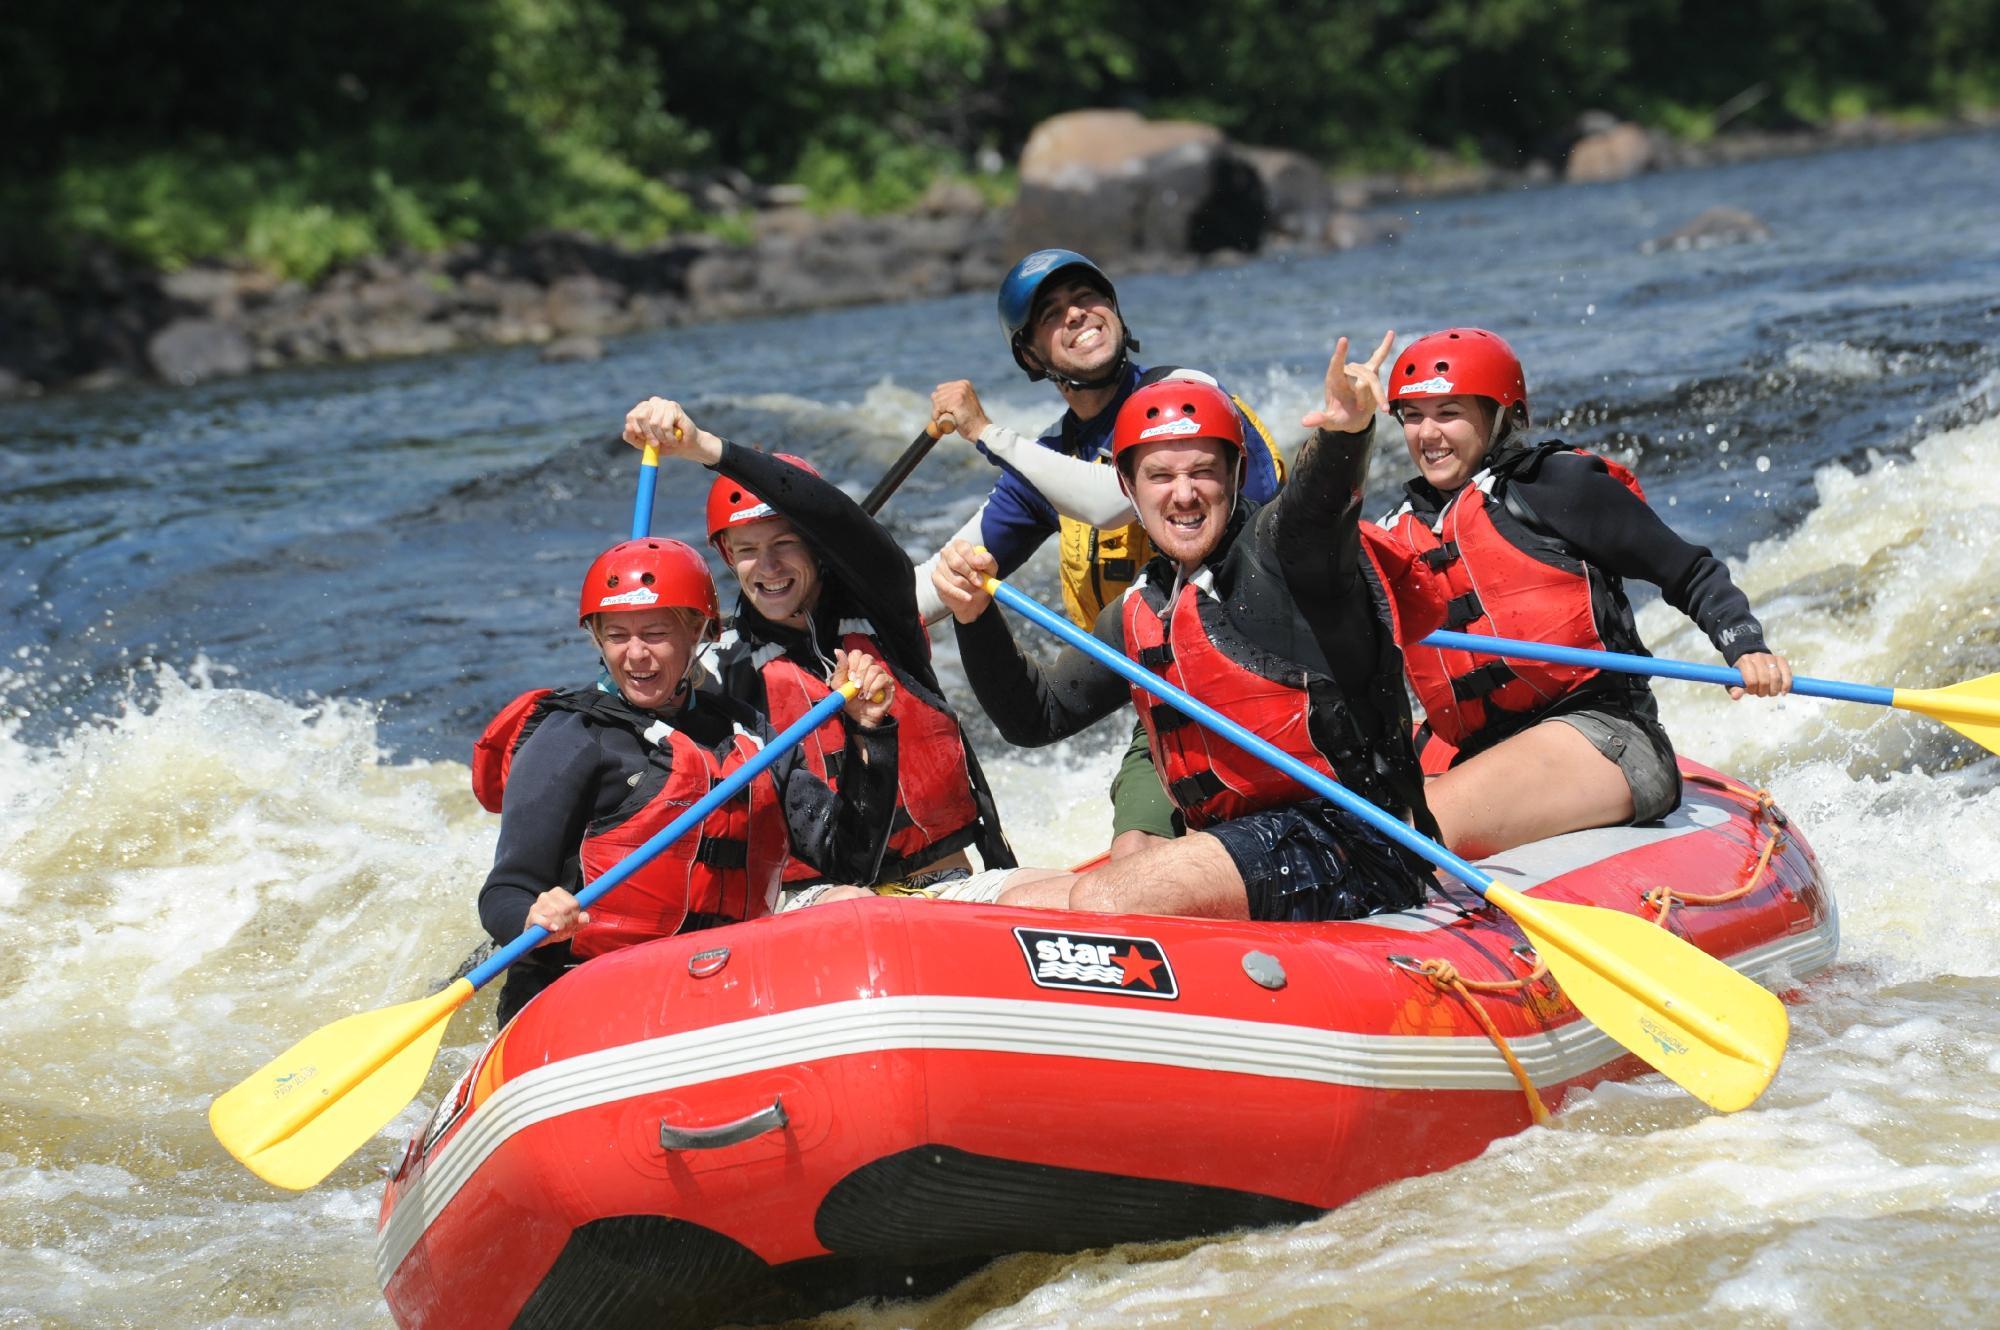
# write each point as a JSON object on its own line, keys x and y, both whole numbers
{"x": 317, "y": 1103}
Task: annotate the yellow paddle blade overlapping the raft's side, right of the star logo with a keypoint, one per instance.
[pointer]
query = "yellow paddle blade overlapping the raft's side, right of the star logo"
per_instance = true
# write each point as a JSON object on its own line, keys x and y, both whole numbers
{"x": 1691, "y": 1017}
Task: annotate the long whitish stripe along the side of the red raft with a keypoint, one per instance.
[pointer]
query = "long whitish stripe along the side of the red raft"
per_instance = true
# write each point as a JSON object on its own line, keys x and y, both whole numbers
{"x": 1025, "y": 1029}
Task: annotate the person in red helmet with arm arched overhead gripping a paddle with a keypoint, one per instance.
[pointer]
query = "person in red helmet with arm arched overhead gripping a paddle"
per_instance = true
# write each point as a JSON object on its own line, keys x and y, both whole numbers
{"x": 819, "y": 577}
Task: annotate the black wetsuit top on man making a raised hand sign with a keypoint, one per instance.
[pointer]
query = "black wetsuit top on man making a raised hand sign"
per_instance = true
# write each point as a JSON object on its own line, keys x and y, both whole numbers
{"x": 1295, "y": 583}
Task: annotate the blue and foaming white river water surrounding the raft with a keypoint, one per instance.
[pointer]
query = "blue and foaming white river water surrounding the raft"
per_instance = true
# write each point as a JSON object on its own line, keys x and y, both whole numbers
{"x": 249, "y": 633}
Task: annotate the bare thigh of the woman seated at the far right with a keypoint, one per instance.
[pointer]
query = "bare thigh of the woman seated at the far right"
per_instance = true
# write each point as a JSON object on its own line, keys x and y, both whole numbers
{"x": 1541, "y": 783}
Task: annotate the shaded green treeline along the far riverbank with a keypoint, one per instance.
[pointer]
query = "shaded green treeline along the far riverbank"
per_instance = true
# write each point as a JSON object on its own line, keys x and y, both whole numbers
{"x": 305, "y": 135}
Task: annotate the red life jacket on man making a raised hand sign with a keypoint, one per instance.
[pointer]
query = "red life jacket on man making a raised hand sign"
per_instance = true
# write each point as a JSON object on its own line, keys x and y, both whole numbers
{"x": 1195, "y": 647}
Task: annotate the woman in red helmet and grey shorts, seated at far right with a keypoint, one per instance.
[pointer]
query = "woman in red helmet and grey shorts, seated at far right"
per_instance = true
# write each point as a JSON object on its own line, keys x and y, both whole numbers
{"x": 1535, "y": 541}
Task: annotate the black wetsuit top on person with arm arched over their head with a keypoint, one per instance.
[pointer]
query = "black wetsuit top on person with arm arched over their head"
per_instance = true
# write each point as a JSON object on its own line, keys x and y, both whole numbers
{"x": 865, "y": 575}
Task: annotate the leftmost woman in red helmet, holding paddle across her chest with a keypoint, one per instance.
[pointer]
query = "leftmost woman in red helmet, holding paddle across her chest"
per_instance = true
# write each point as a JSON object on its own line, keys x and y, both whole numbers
{"x": 585, "y": 777}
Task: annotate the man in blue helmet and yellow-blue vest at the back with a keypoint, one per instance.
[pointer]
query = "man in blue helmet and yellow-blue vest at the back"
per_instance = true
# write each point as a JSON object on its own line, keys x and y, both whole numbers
{"x": 1063, "y": 323}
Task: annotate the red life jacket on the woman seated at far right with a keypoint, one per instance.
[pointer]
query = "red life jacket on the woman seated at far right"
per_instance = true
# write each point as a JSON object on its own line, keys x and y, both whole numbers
{"x": 1507, "y": 581}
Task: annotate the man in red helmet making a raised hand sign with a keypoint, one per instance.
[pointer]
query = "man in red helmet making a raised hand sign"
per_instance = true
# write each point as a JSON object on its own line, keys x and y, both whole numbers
{"x": 1273, "y": 611}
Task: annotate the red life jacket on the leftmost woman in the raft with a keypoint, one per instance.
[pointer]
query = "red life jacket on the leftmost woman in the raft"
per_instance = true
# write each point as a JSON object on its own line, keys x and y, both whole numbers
{"x": 729, "y": 867}
